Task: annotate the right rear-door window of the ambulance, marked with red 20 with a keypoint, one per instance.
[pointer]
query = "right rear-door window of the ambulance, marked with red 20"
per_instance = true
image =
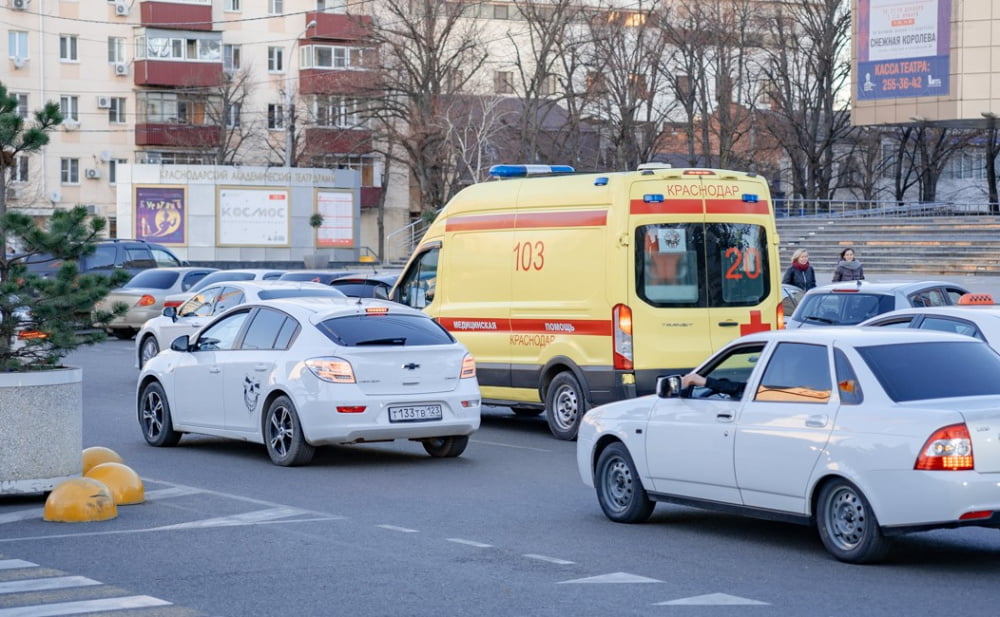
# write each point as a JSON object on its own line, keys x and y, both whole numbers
{"x": 738, "y": 268}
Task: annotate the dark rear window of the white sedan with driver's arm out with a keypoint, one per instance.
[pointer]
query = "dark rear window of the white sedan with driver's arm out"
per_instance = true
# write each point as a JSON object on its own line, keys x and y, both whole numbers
{"x": 921, "y": 371}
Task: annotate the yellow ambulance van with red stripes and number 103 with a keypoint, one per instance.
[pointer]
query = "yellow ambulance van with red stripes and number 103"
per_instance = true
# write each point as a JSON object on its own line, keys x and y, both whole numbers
{"x": 573, "y": 290}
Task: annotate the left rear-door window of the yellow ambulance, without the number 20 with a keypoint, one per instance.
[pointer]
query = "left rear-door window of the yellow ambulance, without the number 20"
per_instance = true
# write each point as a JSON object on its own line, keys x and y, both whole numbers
{"x": 667, "y": 268}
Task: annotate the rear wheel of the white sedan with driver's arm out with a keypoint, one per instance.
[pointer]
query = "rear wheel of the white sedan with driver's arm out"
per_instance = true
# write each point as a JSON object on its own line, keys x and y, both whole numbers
{"x": 847, "y": 525}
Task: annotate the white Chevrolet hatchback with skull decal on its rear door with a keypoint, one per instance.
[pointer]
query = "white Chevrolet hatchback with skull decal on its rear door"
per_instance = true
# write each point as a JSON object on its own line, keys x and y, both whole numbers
{"x": 298, "y": 373}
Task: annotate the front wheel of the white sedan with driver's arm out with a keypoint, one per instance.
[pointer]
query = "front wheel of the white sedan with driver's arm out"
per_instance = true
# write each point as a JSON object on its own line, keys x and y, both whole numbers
{"x": 619, "y": 489}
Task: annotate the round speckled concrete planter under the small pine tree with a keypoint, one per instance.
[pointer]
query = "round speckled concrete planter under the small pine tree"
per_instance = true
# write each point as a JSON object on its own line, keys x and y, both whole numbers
{"x": 41, "y": 429}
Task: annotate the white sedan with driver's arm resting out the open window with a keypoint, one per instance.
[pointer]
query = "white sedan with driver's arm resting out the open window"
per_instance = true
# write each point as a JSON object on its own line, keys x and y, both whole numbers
{"x": 865, "y": 433}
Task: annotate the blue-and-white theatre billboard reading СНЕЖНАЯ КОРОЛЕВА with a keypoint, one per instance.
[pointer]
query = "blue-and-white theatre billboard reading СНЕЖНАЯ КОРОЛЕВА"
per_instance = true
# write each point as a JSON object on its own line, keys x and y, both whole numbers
{"x": 903, "y": 48}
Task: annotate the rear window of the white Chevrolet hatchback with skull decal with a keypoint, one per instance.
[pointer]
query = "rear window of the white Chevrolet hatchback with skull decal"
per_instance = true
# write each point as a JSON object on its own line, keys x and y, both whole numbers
{"x": 359, "y": 330}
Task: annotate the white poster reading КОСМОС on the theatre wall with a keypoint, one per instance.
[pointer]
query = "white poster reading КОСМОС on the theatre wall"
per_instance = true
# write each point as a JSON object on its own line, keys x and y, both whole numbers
{"x": 257, "y": 216}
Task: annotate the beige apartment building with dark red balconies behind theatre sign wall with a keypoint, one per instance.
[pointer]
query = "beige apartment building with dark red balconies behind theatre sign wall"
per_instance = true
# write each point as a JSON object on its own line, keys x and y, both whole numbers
{"x": 203, "y": 82}
